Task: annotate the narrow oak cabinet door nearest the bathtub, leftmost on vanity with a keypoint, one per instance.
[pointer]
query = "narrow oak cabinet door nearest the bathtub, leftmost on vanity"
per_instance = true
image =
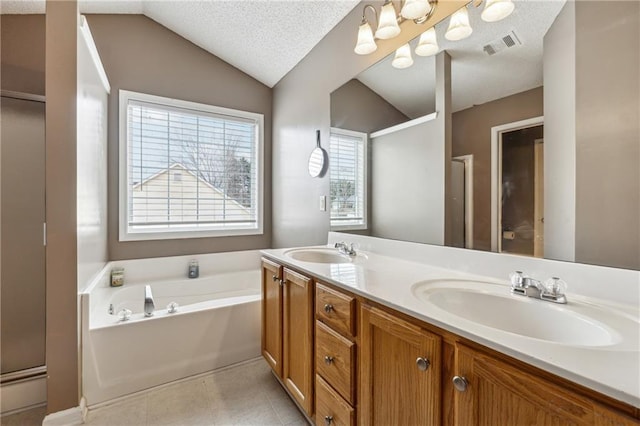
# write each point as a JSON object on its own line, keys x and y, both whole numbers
{"x": 272, "y": 315}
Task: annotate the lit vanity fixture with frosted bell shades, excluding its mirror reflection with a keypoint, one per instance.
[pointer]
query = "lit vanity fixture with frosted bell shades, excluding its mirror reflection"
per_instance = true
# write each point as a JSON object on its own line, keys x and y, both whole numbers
{"x": 388, "y": 25}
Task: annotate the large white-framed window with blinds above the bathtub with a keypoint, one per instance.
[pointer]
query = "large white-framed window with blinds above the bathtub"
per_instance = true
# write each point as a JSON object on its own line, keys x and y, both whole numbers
{"x": 188, "y": 169}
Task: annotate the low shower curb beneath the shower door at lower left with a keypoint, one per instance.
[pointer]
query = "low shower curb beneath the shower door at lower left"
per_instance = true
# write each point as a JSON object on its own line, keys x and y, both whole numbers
{"x": 23, "y": 394}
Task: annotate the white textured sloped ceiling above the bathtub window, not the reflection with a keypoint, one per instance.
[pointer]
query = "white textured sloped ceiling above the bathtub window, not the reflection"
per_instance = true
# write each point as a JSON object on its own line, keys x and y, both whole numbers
{"x": 263, "y": 38}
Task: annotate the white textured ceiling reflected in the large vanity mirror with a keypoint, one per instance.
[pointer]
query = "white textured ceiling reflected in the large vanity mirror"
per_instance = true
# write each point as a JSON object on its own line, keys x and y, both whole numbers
{"x": 476, "y": 77}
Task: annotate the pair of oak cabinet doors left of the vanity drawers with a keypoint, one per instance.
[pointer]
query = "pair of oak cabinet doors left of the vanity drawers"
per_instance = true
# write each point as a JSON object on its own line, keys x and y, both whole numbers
{"x": 287, "y": 330}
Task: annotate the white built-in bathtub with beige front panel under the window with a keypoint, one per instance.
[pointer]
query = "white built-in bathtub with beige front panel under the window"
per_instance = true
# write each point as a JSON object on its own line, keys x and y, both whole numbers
{"x": 217, "y": 323}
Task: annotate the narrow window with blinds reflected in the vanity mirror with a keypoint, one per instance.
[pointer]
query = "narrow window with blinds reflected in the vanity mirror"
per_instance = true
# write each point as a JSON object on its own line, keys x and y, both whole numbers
{"x": 347, "y": 167}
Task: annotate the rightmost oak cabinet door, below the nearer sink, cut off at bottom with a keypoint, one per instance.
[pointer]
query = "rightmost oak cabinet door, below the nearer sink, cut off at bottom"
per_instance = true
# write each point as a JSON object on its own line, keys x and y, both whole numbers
{"x": 499, "y": 394}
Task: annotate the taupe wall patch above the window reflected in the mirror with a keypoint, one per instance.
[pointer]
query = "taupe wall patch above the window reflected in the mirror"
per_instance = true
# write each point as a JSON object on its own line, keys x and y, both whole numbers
{"x": 356, "y": 107}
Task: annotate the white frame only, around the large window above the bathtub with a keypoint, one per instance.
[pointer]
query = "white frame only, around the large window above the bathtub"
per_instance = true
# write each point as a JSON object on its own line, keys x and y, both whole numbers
{"x": 125, "y": 234}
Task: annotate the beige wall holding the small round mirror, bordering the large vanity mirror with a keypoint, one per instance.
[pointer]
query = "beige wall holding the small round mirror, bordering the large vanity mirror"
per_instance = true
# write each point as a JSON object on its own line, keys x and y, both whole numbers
{"x": 301, "y": 104}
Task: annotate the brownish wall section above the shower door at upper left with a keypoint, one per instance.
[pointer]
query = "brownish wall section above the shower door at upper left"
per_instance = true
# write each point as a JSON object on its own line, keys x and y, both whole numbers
{"x": 23, "y": 58}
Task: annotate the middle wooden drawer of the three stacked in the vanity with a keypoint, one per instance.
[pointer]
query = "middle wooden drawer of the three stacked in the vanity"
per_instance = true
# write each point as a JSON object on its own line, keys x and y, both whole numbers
{"x": 335, "y": 360}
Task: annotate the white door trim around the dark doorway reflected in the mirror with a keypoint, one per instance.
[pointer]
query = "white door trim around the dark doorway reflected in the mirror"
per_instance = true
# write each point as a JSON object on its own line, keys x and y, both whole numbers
{"x": 496, "y": 172}
